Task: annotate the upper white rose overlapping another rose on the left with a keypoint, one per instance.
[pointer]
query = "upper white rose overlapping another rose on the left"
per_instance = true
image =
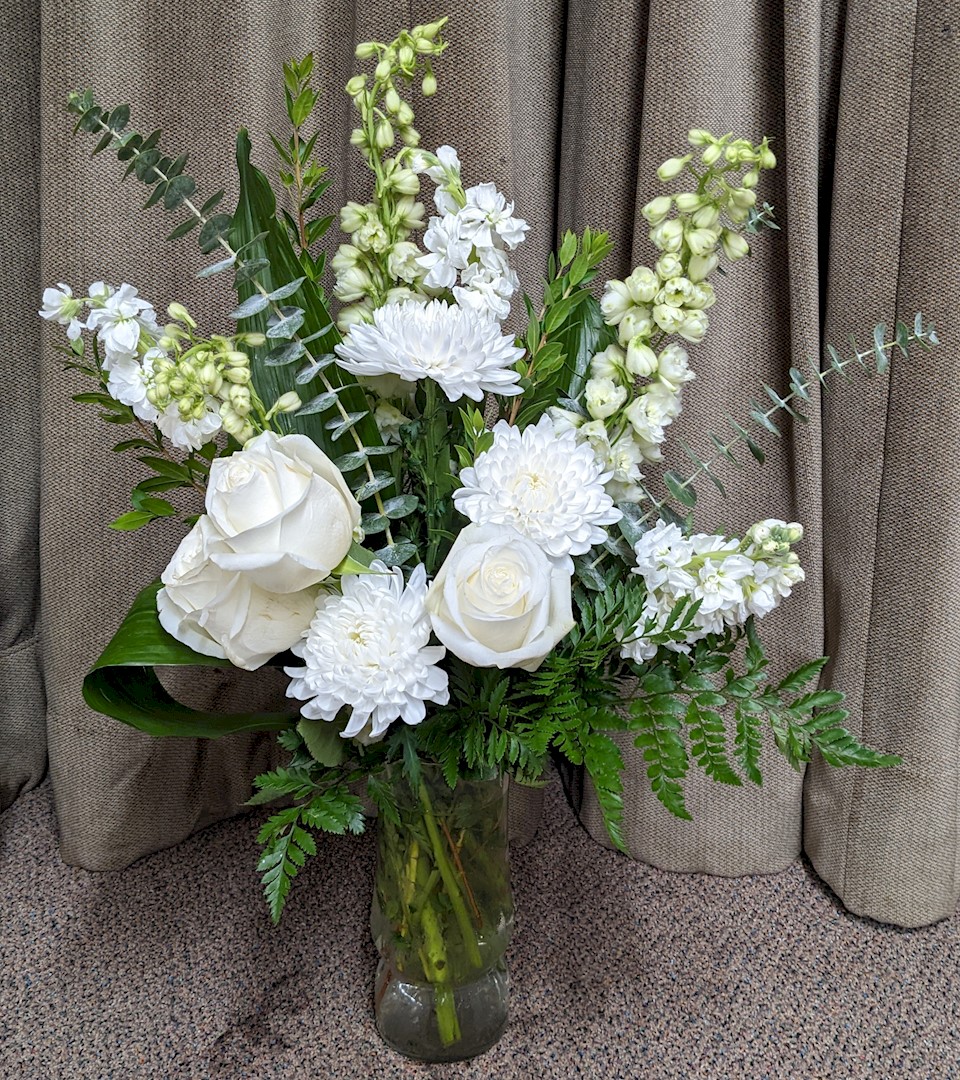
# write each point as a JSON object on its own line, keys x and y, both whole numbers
{"x": 285, "y": 510}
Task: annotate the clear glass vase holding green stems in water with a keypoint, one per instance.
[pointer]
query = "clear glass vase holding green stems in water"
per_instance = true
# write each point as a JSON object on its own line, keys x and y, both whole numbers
{"x": 442, "y": 917}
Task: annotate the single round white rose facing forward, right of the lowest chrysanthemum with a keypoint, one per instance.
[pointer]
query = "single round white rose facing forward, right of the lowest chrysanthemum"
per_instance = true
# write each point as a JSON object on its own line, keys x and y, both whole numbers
{"x": 499, "y": 601}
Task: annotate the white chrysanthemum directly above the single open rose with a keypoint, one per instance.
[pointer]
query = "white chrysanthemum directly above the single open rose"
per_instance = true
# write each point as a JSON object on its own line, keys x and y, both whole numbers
{"x": 549, "y": 488}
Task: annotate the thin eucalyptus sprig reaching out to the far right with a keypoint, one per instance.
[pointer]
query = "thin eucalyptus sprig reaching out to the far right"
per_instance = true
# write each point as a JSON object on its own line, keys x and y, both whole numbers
{"x": 874, "y": 360}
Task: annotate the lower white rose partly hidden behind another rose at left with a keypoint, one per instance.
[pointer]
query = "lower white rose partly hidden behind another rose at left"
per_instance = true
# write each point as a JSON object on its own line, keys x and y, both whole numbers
{"x": 224, "y": 615}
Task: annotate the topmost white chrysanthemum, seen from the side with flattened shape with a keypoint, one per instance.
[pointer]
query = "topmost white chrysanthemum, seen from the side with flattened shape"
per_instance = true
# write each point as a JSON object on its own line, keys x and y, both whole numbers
{"x": 461, "y": 349}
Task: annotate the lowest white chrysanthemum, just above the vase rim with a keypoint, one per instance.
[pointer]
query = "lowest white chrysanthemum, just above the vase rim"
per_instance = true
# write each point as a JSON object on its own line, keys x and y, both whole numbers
{"x": 368, "y": 650}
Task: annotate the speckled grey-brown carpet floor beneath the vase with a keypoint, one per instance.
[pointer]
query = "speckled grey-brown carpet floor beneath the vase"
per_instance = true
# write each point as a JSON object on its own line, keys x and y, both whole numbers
{"x": 171, "y": 969}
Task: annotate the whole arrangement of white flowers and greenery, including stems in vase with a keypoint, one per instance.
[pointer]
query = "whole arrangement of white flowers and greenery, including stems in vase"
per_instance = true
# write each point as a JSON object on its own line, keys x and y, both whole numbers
{"x": 444, "y": 532}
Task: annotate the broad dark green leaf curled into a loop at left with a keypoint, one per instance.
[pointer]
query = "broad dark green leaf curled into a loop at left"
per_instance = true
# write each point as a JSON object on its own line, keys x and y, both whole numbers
{"x": 124, "y": 684}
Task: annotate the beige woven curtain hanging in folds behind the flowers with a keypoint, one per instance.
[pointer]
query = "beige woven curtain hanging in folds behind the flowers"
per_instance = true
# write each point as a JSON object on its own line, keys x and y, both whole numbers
{"x": 569, "y": 105}
